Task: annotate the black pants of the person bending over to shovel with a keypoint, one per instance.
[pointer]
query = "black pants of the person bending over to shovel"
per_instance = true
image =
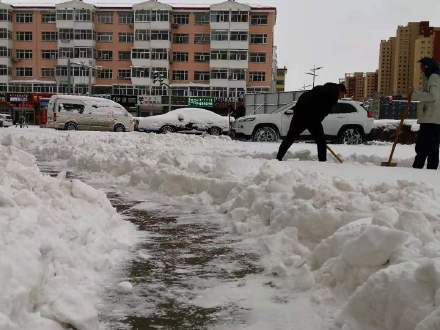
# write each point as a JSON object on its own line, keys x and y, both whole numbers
{"x": 299, "y": 125}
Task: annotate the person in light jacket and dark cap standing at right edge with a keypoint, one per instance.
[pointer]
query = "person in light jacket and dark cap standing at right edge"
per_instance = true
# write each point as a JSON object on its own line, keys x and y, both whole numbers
{"x": 428, "y": 114}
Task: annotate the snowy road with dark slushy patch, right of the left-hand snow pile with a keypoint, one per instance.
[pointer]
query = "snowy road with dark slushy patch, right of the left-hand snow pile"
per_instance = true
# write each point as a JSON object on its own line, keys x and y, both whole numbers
{"x": 236, "y": 240}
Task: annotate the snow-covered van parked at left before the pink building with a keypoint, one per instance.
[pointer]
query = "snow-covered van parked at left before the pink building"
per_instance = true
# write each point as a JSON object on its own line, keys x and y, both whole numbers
{"x": 71, "y": 112}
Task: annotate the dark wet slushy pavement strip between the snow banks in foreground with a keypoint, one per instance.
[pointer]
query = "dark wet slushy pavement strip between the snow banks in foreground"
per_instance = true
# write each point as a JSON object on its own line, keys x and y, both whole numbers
{"x": 181, "y": 255}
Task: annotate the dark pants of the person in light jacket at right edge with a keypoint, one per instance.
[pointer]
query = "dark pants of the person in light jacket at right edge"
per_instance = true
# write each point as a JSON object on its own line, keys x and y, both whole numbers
{"x": 427, "y": 146}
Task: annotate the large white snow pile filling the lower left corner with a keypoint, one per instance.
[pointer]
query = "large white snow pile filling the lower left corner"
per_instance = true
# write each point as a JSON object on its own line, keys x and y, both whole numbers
{"x": 59, "y": 240}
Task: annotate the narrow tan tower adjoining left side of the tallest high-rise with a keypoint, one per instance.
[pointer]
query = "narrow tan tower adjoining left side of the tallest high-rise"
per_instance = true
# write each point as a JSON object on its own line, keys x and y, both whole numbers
{"x": 386, "y": 66}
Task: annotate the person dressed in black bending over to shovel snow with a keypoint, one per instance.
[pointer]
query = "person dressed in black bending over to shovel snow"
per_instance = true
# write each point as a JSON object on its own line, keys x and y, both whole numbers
{"x": 309, "y": 112}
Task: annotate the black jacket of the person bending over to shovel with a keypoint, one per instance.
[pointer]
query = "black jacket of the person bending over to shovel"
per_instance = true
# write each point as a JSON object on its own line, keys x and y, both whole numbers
{"x": 316, "y": 104}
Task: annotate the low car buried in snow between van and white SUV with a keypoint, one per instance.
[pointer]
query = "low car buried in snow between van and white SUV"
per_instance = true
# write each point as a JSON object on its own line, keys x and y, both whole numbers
{"x": 185, "y": 120}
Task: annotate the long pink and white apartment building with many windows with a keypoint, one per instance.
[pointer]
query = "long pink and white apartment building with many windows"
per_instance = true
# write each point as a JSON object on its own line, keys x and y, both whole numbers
{"x": 221, "y": 51}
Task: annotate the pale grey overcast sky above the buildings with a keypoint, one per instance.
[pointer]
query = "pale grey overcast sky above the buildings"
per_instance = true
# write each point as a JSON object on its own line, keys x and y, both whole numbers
{"x": 340, "y": 35}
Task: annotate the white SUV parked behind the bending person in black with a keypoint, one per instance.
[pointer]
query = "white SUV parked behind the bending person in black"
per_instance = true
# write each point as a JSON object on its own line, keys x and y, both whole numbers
{"x": 348, "y": 122}
